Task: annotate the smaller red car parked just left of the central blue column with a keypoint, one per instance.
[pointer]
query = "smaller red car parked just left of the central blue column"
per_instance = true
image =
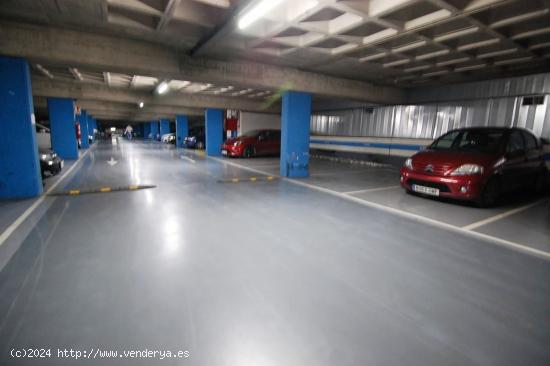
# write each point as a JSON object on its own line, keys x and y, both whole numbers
{"x": 253, "y": 143}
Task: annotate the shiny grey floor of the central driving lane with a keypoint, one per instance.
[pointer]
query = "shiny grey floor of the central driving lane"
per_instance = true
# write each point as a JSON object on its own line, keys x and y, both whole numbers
{"x": 264, "y": 273}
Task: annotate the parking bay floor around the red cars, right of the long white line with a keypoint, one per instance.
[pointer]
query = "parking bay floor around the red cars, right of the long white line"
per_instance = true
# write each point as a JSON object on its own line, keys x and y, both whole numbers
{"x": 521, "y": 218}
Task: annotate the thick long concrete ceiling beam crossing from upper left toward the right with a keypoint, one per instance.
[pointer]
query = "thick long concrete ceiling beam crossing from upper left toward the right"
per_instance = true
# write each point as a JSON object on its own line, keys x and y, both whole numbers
{"x": 96, "y": 52}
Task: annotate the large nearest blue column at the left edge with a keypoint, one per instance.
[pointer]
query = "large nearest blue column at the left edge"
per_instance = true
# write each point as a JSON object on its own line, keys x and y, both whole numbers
{"x": 19, "y": 164}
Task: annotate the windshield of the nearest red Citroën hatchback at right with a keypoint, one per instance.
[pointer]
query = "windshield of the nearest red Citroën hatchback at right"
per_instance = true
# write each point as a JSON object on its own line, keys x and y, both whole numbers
{"x": 483, "y": 141}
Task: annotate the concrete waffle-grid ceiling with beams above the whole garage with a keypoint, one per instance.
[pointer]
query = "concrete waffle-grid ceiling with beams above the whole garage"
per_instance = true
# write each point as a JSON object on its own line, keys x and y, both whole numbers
{"x": 355, "y": 49}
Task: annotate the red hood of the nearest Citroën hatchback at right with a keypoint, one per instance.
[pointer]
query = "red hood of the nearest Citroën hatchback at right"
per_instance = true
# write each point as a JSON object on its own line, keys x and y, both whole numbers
{"x": 453, "y": 159}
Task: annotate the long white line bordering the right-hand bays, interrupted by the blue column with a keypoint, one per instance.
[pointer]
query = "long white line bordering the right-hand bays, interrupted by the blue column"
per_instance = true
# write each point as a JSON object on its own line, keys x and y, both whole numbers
{"x": 487, "y": 238}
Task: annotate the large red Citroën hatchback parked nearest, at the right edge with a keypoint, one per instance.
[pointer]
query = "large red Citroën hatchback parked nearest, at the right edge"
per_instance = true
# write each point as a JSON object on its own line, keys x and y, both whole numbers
{"x": 477, "y": 164}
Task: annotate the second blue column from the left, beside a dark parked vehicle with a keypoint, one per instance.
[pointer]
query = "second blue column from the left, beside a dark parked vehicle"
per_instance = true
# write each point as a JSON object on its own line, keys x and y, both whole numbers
{"x": 62, "y": 127}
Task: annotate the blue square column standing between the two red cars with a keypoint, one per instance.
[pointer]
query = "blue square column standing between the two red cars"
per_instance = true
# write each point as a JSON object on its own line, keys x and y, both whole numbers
{"x": 295, "y": 123}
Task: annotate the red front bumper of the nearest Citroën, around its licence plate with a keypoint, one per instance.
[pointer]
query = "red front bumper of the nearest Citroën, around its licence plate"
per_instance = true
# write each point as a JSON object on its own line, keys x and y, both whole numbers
{"x": 460, "y": 187}
